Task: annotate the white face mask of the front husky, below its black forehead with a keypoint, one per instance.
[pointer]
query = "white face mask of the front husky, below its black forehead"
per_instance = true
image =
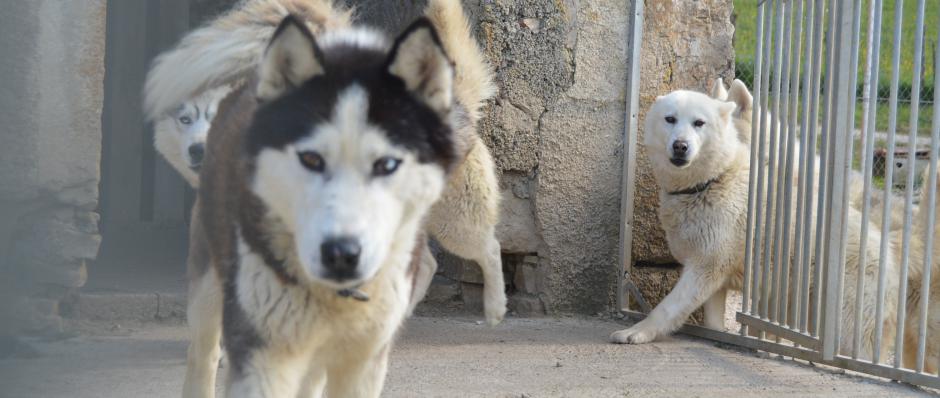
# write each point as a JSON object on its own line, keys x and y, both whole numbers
{"x": 346, "y": 192}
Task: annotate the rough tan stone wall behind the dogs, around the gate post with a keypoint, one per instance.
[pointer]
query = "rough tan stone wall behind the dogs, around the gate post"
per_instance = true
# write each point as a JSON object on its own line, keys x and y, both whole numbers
{"x": 555, "y": 130}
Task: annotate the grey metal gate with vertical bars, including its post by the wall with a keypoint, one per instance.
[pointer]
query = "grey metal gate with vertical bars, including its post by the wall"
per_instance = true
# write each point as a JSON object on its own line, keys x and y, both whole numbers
{"x": 839, "y": 239}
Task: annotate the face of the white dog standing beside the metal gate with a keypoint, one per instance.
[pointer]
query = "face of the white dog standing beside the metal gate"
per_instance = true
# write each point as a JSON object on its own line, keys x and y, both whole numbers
{"x": 682, "y": 125}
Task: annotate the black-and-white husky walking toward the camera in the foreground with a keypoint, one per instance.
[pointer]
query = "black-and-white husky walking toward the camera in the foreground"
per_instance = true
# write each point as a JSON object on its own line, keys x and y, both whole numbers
{"x": 317, "y": 180}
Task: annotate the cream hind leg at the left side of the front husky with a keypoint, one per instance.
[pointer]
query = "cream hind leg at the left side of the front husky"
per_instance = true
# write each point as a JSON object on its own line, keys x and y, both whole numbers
{"x": 204, "y": 315}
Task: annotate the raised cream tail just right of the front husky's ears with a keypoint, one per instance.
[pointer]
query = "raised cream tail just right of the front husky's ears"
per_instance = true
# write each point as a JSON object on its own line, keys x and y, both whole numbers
{"x": 473, "y": 81}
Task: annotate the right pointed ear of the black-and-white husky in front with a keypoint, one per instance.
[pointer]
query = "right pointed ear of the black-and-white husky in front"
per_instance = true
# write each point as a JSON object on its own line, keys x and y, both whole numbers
{"x": 419, "y": 60}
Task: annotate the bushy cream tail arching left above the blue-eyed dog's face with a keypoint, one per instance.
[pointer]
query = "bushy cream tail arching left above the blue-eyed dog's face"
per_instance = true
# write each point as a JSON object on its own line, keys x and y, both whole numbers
{"x": 228, "y": 49}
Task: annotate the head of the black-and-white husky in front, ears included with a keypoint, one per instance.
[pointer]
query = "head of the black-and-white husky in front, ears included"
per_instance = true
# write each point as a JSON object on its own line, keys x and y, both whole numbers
{"x": 351, "y": 146}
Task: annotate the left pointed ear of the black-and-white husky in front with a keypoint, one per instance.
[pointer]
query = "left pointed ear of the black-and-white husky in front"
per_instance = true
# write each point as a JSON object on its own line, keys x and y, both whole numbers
{"x": 292, "y": 57}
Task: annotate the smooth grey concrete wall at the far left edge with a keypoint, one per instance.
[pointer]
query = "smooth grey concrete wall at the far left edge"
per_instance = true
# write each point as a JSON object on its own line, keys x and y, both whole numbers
{"x": 51, "y": 112}
